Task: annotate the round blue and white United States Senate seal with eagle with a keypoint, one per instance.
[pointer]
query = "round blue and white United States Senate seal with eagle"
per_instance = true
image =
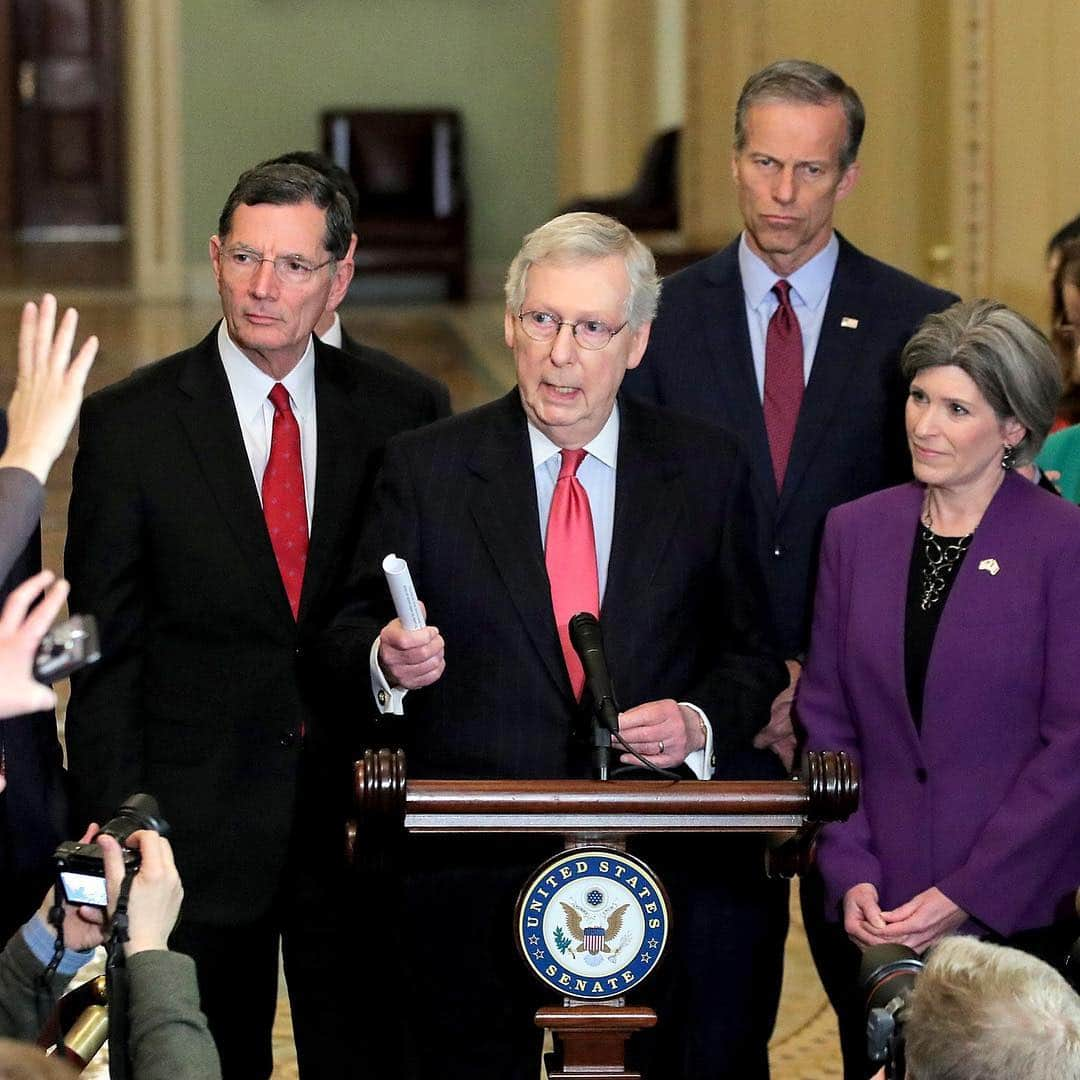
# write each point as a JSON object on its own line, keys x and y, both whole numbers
{"x": 592, "y": 923}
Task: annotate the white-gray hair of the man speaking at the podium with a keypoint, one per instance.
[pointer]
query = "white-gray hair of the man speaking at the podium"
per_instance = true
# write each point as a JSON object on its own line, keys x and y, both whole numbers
{"x": 577, "y": 238}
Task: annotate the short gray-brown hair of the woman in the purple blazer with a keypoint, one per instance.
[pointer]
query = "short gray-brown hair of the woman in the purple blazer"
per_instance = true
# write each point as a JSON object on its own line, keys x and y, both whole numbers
{"x": 1004, "y": 354}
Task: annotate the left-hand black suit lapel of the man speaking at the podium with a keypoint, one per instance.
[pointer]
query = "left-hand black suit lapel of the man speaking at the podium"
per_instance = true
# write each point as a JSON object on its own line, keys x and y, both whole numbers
{"x": 504, "y": 506}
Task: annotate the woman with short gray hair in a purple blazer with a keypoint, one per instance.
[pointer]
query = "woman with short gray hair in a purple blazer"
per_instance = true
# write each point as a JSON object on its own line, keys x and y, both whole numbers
{"x": 946, "y": 658}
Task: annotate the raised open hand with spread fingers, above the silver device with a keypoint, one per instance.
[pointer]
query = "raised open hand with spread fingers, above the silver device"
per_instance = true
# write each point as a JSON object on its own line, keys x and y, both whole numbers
{"x": 49, "y": 389}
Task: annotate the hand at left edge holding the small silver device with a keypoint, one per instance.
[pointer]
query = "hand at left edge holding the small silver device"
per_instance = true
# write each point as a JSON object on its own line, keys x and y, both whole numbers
{"x": 21, "y": 634}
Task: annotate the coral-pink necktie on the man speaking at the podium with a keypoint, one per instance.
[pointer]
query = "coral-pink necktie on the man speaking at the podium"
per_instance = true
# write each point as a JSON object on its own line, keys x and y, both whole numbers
{"x": 571, "y": 555}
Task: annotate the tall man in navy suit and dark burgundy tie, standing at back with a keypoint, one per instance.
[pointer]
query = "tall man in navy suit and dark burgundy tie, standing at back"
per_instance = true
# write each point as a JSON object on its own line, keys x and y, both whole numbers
{"x": 805, "y": 372}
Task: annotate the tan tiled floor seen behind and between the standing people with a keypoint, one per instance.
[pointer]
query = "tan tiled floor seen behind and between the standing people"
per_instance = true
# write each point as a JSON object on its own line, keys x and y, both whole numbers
{"x": 463, "y": 346}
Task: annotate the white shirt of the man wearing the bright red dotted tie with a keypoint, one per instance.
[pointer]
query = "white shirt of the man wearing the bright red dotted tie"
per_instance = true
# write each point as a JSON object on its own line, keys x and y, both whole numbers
{"x": 251, "y": 389}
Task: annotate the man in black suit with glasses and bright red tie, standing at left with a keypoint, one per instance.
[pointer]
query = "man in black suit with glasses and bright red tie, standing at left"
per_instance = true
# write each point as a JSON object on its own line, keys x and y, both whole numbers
{"x": 217, "y": 502}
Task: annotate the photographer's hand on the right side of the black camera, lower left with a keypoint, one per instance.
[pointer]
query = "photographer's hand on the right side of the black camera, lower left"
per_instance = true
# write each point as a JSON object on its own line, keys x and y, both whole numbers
{"x": 154, "y": 903}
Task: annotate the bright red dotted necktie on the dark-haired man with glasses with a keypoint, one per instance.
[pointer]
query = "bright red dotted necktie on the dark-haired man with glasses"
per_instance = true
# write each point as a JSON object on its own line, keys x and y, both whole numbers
{"x": 285, "y": 506}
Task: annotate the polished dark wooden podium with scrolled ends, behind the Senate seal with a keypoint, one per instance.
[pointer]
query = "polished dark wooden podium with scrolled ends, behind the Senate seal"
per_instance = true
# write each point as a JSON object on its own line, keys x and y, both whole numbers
{"x": 591, "y": 1036}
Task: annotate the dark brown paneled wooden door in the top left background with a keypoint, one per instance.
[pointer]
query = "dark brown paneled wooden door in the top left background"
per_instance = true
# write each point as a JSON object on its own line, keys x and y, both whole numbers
{"x": 69, "y": 133}
